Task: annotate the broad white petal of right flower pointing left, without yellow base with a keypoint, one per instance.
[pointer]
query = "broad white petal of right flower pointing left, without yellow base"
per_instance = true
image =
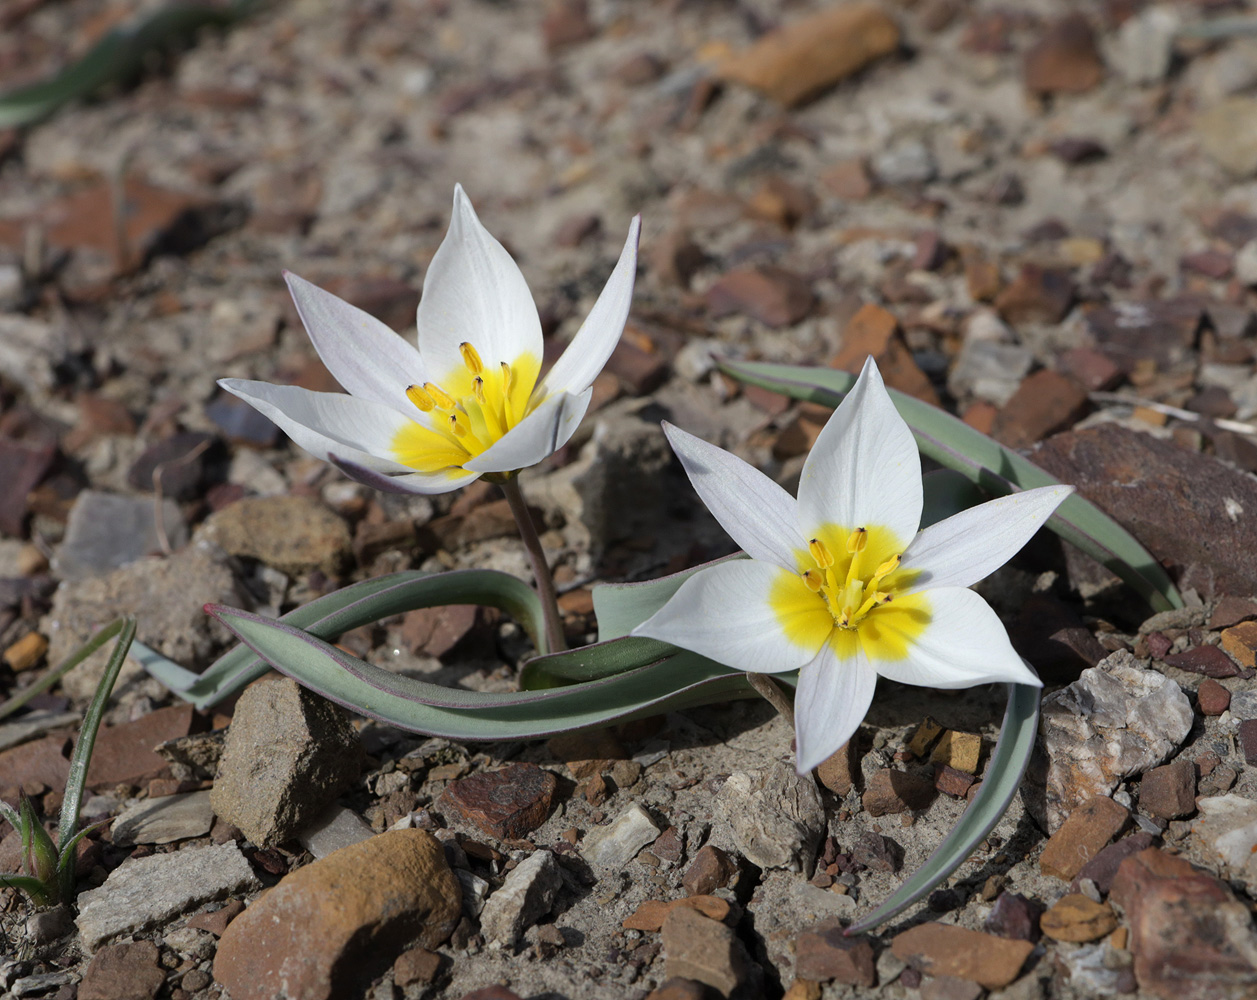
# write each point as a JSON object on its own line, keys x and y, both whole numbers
{"x": 723, "y": 614}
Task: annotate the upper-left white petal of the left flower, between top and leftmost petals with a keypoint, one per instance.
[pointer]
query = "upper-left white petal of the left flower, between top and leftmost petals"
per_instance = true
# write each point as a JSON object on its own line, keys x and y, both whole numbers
{"x": 366, "y": 357}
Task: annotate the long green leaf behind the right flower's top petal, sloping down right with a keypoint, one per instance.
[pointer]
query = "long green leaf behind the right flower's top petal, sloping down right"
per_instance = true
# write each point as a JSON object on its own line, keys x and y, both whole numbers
{"x": 992, "y": 467}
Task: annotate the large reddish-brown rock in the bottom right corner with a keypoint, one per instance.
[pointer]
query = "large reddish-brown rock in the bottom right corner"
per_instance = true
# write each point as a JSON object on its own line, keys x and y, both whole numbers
{"x": 1191, "y": 938}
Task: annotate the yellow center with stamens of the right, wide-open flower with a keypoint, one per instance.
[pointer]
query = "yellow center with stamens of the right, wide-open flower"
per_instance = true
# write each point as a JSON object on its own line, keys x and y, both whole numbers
{"x": 849, "y": 592}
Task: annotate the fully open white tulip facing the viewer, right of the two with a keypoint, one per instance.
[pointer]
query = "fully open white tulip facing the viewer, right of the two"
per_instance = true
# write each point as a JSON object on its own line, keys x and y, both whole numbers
{"x": 840, "y": 584}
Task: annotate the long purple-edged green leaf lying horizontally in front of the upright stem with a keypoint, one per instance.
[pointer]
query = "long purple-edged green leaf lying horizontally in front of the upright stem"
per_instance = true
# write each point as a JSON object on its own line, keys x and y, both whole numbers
{"x": 677, "y": 682}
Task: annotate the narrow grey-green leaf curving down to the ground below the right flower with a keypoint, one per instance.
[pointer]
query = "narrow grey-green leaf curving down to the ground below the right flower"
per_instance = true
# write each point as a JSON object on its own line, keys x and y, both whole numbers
{"x": 1001, "y": 783}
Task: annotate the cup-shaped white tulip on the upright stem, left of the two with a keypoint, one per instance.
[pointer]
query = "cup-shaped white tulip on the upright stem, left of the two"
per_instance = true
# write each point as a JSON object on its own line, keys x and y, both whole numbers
{"x": 468, "y": 401}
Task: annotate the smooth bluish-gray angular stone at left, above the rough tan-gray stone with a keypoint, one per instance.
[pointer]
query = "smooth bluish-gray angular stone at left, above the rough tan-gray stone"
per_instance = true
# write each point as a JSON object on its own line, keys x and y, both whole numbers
{"x": 107, "y": 531}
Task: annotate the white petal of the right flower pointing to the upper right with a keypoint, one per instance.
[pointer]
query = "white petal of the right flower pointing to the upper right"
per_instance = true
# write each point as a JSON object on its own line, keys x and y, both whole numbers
{"x": 972, "y": 545}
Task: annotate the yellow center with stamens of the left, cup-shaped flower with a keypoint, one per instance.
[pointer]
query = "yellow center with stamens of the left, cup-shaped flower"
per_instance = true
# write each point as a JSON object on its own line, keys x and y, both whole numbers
{"x": 469, "y": 411}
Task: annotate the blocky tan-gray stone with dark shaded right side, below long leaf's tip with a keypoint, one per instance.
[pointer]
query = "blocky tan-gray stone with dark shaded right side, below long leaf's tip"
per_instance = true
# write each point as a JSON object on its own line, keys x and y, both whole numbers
{"x": 288, "y": 756}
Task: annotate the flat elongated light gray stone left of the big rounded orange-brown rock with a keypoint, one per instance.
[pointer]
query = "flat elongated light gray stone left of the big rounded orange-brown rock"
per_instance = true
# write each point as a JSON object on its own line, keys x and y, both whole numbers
{"x": 148, "y": 893}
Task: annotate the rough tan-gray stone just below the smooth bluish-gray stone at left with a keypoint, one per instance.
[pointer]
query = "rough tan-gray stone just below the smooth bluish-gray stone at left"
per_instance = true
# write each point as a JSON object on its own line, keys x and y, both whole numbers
{"x": 168, "y": 596}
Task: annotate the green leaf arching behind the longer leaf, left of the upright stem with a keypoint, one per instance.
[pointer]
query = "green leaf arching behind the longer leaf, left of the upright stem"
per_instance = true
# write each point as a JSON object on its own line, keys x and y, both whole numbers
{"x": 348, "y": 609}
